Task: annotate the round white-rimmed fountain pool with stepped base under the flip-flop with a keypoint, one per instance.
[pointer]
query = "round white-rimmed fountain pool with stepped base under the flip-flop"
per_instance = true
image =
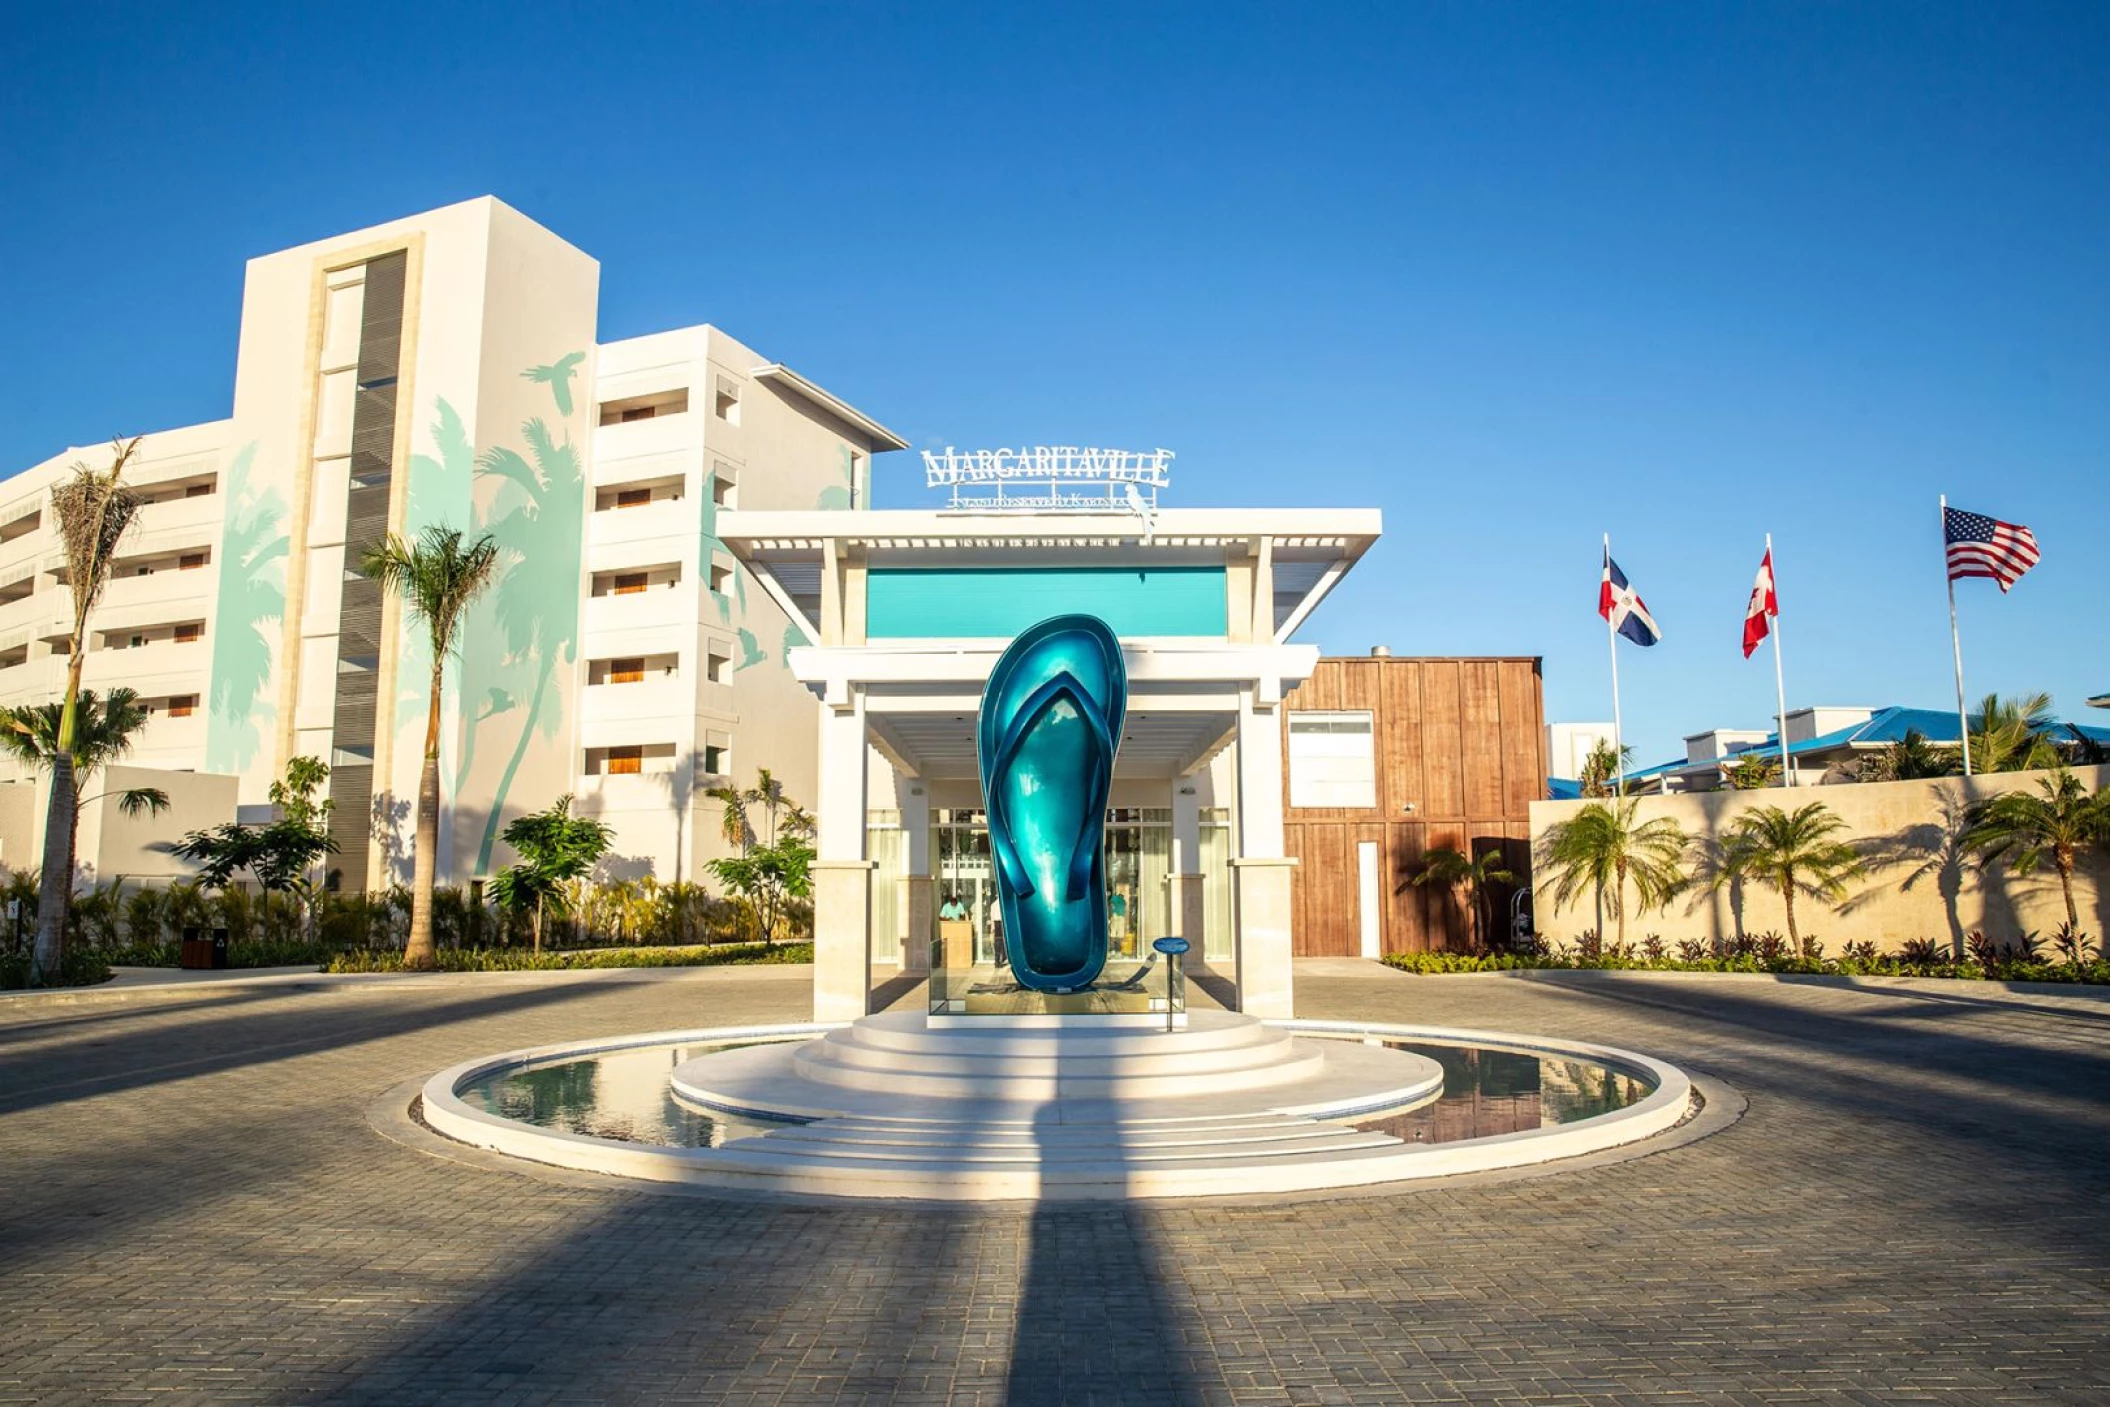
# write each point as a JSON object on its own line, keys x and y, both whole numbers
{"x": 1451, "y": 1102}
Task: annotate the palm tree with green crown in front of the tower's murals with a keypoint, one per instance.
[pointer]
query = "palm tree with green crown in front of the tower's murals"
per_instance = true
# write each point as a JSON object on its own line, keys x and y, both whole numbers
{"x": 438, "y": 579}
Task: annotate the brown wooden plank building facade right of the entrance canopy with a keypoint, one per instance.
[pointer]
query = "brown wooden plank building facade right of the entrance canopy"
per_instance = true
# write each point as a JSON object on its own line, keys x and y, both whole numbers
{"x": 1459, "y": 750}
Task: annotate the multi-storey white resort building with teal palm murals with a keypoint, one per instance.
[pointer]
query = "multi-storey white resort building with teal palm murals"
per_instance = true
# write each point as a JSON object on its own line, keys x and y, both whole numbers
{"x": 444, "y": 370}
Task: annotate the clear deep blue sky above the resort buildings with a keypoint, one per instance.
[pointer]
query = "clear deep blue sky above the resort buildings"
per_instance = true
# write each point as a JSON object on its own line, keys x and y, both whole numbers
{"x": 1518, "y": 275}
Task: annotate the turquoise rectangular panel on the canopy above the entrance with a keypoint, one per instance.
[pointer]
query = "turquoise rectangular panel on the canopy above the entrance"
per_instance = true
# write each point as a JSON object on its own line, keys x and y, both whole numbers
{"x": 1001, "y": 602}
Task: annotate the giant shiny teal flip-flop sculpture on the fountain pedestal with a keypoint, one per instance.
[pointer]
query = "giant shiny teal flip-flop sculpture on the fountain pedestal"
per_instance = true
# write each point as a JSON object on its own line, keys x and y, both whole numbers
{"x": 1048, "y": 737}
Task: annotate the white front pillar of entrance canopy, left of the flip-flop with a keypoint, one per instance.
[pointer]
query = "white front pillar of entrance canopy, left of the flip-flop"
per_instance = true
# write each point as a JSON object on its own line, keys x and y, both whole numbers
{"x": 841, "y": 872}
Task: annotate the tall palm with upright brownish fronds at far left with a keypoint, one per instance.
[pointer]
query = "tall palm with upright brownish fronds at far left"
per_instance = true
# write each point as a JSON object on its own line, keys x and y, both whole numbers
{"x": 94, "y": 512}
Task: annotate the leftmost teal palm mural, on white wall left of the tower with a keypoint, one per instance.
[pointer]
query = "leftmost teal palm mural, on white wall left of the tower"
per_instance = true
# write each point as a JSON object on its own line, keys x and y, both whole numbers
{"x": 254, "y": 545}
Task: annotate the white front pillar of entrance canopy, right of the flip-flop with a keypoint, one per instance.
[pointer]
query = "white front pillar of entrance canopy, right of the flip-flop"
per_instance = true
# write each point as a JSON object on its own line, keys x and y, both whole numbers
{"x": 1261, "y": 872}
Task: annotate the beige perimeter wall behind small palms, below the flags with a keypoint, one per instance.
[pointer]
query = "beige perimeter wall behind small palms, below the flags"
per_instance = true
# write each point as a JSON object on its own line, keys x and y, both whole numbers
{"x": 1921, "y": 885}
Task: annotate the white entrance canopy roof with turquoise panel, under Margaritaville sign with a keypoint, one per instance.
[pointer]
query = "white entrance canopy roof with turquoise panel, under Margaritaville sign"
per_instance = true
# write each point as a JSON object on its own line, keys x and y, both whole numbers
{"x": 908, "y": 611}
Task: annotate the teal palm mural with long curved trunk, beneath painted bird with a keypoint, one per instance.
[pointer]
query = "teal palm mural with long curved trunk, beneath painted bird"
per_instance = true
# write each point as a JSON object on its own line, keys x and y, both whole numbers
{"x": 524, "y": 630}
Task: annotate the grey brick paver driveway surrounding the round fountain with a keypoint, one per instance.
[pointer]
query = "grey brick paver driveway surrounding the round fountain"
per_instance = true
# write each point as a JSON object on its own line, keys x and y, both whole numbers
{"x": 193, "y": 1208}
